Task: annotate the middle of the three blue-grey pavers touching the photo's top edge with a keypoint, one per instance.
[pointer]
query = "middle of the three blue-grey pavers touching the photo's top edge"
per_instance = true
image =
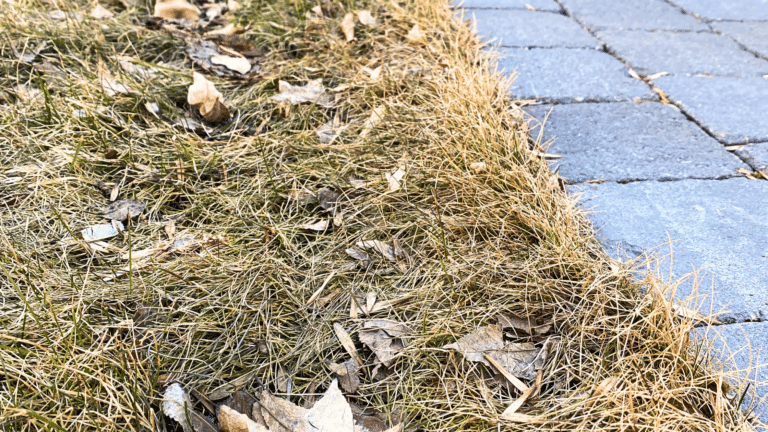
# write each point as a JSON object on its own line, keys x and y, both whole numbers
{"x": 630, "y": 14}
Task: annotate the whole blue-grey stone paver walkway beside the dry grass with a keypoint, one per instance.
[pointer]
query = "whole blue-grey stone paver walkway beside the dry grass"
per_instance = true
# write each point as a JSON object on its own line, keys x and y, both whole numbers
{"x": 651, "y": 170}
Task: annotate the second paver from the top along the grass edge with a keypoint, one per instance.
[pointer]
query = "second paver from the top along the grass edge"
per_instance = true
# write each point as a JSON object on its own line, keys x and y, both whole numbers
{"x": 523, "y": 28}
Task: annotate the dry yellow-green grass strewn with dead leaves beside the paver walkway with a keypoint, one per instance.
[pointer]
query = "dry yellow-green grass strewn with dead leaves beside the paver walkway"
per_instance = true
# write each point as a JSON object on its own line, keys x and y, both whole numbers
{"x": 404, "y": 189}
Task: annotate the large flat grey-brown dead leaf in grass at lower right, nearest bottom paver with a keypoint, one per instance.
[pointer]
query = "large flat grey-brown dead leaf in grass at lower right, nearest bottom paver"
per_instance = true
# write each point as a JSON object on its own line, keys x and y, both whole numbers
{"x": 515, "y": 358}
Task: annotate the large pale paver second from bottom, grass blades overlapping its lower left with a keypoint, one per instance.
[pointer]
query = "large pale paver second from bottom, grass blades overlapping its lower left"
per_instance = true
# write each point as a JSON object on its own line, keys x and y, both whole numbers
{"x": 717, "y": 223}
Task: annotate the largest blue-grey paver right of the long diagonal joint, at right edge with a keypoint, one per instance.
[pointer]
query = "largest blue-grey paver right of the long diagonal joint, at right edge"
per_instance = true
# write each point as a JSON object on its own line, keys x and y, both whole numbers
{"x": 731, "y": 109}
